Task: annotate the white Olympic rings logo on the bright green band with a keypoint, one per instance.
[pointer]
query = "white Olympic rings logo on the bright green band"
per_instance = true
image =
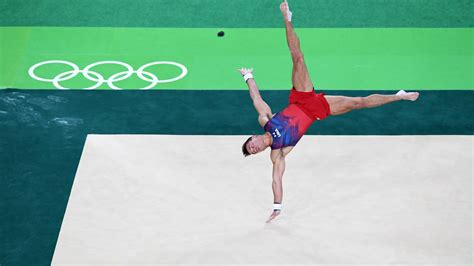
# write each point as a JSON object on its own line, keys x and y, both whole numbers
{"x": 96, "y": 77}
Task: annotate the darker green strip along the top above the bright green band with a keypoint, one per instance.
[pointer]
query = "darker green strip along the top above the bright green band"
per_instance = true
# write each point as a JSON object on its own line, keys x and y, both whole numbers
{"x": 237, "y": 14}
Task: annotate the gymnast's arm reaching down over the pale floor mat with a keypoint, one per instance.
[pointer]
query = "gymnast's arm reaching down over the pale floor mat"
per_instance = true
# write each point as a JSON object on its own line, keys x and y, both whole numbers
{"x": 278, "y": 160}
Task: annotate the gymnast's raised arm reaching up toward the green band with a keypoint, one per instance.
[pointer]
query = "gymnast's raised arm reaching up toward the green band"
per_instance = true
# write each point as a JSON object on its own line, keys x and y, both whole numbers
{"x": 263, "y": 110}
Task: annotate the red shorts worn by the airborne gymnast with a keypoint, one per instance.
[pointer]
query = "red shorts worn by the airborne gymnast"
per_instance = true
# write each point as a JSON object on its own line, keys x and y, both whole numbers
{"x": 312, "y": 104}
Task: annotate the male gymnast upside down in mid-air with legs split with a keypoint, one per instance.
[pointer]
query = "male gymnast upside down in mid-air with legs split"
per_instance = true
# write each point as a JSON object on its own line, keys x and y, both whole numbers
{"x": 284, "y": 129}
